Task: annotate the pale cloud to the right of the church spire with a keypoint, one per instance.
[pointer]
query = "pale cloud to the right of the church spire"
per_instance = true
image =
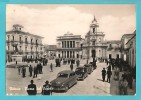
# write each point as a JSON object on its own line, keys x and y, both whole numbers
{"x": 115, "y": 27}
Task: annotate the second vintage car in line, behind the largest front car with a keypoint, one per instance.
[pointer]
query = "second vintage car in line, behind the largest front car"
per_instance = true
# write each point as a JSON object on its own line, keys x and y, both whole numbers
{"x": 81, "y": 73}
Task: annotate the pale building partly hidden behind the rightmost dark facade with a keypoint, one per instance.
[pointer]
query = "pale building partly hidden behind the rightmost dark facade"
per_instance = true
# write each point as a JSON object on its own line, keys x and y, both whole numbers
{"x": 125, "y": 38}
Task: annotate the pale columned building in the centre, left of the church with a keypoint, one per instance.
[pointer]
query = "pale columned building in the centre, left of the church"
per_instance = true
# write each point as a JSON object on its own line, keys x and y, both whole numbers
{"x": 69, "y": 46}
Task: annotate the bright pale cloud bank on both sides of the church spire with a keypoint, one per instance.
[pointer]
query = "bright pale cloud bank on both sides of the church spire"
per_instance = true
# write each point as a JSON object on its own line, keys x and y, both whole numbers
{"x": 51, "y": 23}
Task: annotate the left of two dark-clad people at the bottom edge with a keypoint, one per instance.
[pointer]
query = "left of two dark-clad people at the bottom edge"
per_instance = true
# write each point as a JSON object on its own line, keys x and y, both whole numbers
{"x": 31, "y": 90}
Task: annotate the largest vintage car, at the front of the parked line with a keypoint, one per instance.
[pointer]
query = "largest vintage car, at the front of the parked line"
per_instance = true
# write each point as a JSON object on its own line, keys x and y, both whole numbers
{"x": 65, "y": 79}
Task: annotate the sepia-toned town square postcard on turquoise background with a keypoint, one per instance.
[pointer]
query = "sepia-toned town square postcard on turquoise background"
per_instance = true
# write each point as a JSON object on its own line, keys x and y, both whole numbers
{"x": 70, "y": 49}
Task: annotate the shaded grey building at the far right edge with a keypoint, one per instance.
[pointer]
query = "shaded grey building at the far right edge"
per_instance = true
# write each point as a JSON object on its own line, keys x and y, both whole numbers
{"x": 131, "y": 54}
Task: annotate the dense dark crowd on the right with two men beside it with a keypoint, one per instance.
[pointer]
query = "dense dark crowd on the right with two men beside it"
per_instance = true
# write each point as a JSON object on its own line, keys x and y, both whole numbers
{"x": 127, "y": 76}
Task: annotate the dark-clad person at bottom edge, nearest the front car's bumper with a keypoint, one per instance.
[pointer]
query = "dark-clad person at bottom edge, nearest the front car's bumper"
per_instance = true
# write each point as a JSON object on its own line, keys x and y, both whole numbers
{"x": 47, "y": 89}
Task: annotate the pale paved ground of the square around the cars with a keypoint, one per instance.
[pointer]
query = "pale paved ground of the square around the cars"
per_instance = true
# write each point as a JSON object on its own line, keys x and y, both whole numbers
{"x": 92, "y": 85}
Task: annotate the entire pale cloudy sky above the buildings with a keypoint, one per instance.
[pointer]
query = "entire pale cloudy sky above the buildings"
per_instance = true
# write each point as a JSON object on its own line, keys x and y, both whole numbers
{"x": 53, "y": 20}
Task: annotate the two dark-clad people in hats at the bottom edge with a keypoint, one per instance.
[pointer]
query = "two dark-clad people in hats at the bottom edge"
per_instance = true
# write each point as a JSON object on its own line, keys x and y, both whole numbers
{"x": 46, "y": 89}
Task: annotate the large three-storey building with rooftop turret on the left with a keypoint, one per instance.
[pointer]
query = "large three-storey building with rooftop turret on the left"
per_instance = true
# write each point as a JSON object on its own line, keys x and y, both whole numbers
{"x": 23, "y": 43}
